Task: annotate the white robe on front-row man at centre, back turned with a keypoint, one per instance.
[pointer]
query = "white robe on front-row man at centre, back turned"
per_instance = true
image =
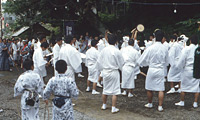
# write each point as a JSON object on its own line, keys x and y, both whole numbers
{"x": 109, "y": 62}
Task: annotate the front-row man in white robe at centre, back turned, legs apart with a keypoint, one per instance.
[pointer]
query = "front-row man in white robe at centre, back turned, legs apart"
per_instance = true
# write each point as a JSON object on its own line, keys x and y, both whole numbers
{"x": 109, "y": 62}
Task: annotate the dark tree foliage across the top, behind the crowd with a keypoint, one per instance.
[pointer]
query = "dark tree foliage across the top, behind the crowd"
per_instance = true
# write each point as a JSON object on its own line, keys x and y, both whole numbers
{"x": 116, "y": 15}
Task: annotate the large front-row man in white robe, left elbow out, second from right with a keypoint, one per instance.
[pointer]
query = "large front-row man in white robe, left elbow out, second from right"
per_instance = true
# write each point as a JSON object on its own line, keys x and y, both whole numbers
{"x": 156, "y": 57}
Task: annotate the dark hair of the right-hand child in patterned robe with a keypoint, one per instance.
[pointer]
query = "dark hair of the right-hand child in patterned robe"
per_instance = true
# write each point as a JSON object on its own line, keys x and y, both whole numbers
{"x": 61, "y": 66}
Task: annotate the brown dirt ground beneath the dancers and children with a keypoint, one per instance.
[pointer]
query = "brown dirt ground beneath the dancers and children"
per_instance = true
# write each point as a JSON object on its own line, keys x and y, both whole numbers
{"x": 89, "y": 105}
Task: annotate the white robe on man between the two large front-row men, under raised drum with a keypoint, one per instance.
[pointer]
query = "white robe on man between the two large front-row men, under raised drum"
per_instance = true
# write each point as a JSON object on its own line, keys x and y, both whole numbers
{"x": 130, "y": 56}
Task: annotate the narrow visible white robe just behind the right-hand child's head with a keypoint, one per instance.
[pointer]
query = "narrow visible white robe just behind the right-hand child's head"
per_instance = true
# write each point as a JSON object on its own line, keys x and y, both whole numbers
{"x": 56, "y": 51}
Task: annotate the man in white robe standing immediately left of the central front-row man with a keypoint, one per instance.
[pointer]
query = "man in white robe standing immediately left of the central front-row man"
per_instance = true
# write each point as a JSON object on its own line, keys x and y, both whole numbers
{"x": 92, "y": 55}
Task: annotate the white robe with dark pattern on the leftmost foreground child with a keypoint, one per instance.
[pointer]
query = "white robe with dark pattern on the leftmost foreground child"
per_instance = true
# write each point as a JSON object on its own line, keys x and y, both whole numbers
{"x": 31, "y": 81}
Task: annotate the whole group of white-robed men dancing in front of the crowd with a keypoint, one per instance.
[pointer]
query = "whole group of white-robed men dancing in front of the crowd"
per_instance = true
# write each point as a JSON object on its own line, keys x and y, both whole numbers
{"x": 104, "y": 60}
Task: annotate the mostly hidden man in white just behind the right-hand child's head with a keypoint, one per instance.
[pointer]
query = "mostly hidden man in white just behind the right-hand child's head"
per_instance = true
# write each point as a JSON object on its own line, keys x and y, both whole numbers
{"x": 56, "y": 51}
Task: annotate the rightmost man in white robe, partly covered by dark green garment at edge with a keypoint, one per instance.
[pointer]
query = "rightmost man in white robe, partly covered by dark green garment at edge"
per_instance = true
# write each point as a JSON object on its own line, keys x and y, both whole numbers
{"x": 188, "y": 82}
